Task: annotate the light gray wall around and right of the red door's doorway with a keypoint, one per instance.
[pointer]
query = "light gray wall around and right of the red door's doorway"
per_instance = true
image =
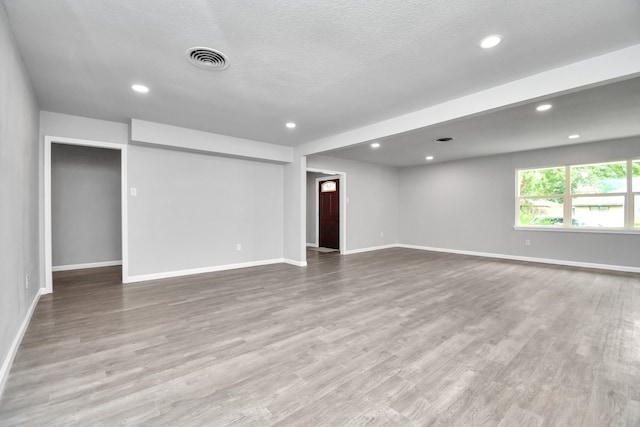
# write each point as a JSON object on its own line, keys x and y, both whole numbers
{"x": 372, "y": 208}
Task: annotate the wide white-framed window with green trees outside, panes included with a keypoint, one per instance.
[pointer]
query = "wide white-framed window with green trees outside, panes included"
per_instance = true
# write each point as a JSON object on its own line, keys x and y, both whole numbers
{"x": 601, "y": 196}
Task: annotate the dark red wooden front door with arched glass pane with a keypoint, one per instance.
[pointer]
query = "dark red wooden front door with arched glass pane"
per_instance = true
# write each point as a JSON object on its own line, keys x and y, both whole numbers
{"x": 329, "y": 221}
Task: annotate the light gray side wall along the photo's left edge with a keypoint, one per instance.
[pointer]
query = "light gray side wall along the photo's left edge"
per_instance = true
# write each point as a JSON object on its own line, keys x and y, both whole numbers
{"x": 19, "y": 226}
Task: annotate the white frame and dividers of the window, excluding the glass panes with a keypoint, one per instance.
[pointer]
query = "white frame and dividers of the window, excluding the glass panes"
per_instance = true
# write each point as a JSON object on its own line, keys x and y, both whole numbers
{"x": 567, "y": 198}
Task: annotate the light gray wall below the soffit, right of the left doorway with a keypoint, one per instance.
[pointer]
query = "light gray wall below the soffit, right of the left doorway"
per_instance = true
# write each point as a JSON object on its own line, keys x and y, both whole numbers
{"x": 192, "y": 209}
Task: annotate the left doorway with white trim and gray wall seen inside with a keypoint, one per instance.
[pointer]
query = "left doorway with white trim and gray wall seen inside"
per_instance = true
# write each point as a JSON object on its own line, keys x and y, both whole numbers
{"x": 95, "y": 177}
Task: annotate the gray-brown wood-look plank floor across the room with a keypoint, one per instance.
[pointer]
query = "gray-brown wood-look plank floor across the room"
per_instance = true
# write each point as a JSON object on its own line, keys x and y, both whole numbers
{"x": 393, "y": 337}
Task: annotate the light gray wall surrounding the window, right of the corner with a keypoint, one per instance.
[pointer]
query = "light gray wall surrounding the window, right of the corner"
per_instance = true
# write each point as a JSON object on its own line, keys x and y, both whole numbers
{"x": 470, "y": 205}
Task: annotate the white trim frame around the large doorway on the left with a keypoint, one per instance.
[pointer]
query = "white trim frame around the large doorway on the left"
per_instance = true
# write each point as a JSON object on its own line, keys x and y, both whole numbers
{"x": 48, "y": 141}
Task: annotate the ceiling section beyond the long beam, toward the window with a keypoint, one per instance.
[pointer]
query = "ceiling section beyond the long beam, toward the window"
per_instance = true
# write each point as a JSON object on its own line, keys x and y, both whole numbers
{"x": 609, "y": 111}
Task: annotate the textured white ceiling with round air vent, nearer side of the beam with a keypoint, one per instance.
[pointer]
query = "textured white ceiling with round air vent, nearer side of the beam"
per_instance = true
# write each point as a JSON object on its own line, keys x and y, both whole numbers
{"x": 329, "y": 66}
